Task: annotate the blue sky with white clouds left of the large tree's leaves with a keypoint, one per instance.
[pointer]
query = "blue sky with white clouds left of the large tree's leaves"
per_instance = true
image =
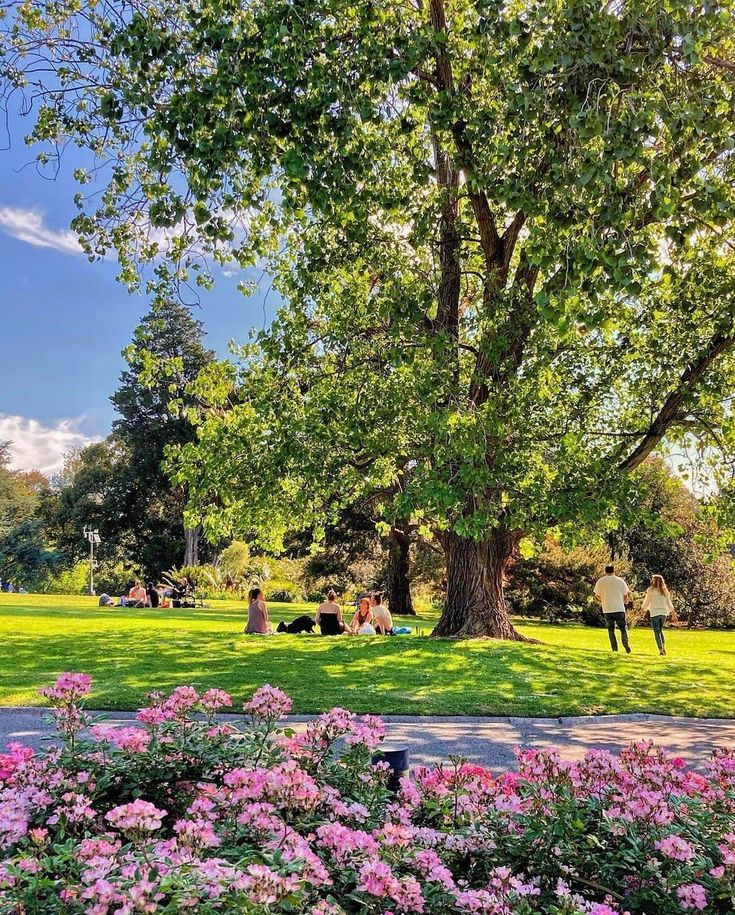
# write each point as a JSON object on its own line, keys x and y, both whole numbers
{"x": 64, "y": 320}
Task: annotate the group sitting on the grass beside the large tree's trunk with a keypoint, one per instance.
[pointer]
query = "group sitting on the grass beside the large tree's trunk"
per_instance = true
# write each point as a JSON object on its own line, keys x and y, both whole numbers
{"x": 371, "y": 618}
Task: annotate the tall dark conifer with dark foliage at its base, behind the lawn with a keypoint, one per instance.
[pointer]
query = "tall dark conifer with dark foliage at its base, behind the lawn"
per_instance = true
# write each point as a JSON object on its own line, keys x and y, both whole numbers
{"x": 120, "y": 485}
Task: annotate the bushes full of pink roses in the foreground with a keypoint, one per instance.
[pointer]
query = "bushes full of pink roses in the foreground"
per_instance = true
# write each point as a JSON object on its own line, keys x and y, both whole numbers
{"x": 183, "y": 813}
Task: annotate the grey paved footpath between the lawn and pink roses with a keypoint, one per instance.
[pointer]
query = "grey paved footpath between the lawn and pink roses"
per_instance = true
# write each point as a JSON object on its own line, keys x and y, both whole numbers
{"x": 489, "y": 741}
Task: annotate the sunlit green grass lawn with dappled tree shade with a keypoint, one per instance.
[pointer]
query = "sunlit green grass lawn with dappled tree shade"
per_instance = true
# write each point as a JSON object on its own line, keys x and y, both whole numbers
{"x": 131, "y": 652}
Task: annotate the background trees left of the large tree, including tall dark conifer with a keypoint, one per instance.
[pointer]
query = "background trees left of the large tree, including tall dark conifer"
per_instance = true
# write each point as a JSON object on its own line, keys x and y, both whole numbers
{"x": 117, "y": 485}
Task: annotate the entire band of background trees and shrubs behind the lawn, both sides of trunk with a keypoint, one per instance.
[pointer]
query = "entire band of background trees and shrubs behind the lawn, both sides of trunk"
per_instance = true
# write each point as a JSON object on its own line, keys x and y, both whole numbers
{"x": 121, "y": 485}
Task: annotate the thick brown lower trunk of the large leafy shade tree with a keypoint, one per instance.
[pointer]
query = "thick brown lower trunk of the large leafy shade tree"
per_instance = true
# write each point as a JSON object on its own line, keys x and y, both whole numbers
{"x": 475, "y": 604}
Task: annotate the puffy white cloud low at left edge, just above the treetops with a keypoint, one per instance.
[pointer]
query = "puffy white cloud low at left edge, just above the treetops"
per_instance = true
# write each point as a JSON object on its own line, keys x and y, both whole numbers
{"x": 39, "y": 447}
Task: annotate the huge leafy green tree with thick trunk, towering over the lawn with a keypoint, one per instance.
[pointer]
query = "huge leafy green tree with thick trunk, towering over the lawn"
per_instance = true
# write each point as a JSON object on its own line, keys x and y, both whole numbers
{"x": 501, "y": 228}
